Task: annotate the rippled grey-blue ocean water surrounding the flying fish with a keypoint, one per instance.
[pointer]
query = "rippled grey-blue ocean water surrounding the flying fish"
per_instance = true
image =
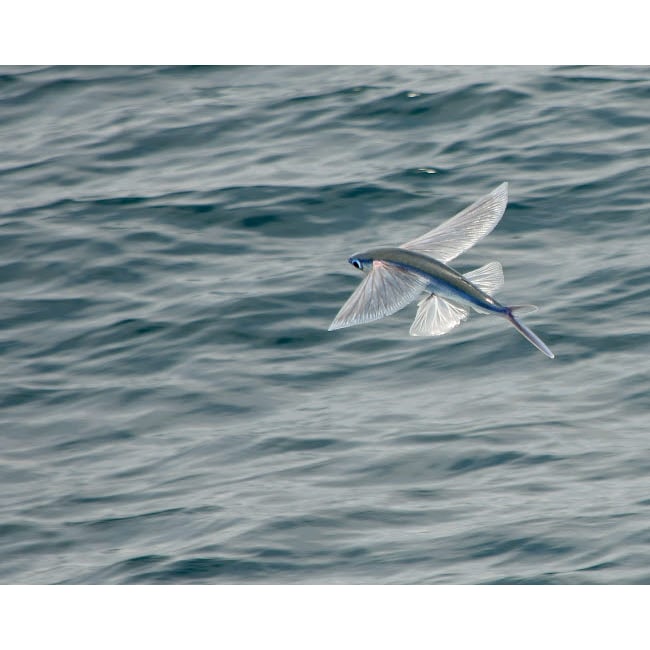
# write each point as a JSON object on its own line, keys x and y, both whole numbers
{"x": 173, "y": 250}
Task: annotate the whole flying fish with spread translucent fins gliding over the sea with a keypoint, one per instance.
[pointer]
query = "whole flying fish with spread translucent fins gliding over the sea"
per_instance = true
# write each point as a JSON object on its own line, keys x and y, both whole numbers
{"x": 395, "y": 276}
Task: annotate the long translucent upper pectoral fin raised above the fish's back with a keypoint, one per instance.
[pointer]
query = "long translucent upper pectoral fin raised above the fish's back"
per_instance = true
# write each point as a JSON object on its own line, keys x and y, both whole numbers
{"x": 462, "y": 231}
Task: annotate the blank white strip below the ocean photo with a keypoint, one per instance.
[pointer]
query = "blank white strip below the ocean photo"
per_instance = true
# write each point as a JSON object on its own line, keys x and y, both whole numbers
{"x": 333, "y": 617}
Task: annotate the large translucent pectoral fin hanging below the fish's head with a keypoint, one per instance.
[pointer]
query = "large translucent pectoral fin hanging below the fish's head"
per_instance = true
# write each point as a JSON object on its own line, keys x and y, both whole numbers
{"x": 387, "y": 288}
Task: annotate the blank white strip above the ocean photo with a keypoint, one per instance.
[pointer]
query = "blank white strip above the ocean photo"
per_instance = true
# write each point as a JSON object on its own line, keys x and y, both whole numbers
{"x": 338, "y": 31}
